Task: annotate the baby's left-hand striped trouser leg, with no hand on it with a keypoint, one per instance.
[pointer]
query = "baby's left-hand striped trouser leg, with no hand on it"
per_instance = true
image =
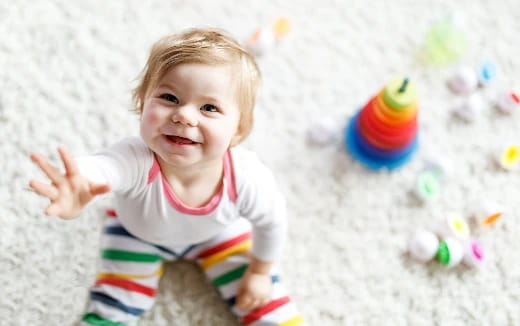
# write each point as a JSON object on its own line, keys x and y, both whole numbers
{"x": 127, "y": 281}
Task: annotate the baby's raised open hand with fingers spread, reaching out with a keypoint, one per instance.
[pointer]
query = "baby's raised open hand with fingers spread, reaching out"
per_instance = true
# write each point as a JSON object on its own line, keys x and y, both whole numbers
{"x": 68, "y": 192}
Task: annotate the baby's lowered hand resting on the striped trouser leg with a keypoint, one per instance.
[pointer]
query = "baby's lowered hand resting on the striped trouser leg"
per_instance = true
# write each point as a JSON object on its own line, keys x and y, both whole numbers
{"x": 254, "y": 291}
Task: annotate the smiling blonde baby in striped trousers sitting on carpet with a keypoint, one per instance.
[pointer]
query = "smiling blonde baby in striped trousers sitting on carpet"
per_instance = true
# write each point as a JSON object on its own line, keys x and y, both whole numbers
{"x": 183, "y": 189}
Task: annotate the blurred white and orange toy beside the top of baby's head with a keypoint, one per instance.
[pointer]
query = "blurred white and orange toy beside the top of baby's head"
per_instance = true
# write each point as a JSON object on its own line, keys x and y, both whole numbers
{"x": 266, "y": 38}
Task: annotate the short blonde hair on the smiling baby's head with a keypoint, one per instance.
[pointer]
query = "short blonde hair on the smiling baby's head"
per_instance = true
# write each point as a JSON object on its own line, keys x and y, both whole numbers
{"x": 202, "y": 46}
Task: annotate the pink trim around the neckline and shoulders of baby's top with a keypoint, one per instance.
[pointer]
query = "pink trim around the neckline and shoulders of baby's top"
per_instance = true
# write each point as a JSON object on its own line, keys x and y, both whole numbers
{"x": 228, "y": 183}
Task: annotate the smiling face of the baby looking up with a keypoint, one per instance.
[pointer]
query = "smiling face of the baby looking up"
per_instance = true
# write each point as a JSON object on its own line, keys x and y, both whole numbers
{"x": 192, "y": 116}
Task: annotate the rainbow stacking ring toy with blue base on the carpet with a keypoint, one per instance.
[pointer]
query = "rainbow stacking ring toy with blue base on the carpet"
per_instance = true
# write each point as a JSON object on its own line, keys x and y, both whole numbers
{"x": 383, "y": 134}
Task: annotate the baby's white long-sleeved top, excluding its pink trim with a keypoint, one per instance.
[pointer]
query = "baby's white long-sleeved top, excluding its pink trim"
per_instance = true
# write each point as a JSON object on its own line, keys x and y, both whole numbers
{"x": 145, "y": 211}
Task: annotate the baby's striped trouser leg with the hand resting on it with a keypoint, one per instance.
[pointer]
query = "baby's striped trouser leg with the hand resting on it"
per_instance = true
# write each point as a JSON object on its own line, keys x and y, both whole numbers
{"x": 224, "y": 259}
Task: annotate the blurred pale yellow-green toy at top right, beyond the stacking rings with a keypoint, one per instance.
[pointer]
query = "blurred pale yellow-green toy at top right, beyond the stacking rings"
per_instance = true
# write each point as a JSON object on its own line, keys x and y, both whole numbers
{"x": 446, "y": 41}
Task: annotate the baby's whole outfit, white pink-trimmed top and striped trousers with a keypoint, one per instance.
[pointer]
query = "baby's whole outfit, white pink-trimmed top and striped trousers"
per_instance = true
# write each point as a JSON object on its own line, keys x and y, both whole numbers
{"x": 150, "y": 225}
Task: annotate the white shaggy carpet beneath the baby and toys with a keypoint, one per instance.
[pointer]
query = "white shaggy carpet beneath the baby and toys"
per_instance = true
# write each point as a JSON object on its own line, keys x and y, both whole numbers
{"x": 67, "y": 68}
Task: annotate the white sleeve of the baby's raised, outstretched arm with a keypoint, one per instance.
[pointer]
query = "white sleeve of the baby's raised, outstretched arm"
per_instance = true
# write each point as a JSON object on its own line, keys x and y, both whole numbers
{"x": 121, "y": 166}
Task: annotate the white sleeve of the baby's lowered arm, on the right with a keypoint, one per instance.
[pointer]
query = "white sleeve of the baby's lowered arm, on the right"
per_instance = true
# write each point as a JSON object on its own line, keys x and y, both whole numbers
{"x": 261, "y": 202}
